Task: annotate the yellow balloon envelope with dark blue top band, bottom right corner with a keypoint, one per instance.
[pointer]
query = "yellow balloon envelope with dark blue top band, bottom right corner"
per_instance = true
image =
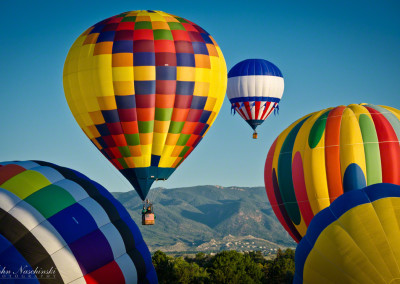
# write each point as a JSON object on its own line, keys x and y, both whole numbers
{"x": 354, "y": 240}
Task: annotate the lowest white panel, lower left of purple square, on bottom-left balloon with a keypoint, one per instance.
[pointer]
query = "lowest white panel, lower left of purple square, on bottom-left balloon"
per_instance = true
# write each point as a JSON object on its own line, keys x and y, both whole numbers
{"x": 67, "y": 265}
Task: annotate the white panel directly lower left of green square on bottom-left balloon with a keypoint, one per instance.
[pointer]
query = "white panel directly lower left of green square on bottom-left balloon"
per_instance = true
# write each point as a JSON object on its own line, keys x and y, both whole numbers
{"x": 27, "y": 215}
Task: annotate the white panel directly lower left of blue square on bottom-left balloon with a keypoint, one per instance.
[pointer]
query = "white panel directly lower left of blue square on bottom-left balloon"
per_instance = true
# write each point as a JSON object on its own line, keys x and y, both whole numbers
{"x": 48, "y": 236}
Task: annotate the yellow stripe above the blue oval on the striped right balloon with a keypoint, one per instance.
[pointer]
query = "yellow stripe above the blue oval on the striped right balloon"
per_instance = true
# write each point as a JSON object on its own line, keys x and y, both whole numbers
{"x": 351, "y": 144}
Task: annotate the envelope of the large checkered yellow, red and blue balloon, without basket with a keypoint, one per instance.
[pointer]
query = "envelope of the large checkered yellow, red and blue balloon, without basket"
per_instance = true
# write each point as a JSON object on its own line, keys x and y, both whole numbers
{"x": 145, "y": 87}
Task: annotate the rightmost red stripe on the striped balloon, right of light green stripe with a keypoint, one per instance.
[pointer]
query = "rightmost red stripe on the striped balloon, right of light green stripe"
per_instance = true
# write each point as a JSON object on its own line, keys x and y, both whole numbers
{"x": 389, "y": 148}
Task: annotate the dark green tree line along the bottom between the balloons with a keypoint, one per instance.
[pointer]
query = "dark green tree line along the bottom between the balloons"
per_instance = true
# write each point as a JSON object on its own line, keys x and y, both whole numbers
{"x": 225, "y": 267}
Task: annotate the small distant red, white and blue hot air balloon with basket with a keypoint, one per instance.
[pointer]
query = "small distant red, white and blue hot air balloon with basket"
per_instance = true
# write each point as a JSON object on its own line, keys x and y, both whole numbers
{"x": 255, "y": 87}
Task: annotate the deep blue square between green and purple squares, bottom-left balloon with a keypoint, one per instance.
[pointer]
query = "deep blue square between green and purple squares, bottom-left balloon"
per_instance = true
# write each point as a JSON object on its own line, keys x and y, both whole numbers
{"x": 73, "y": 222}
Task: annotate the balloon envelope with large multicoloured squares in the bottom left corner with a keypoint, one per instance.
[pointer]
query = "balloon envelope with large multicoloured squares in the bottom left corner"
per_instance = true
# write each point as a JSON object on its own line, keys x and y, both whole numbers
{"x": 66, "y": 228}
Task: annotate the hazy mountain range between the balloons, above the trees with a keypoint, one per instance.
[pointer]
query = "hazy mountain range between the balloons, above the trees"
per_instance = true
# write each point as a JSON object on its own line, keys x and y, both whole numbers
{"x": 209, "y": 218}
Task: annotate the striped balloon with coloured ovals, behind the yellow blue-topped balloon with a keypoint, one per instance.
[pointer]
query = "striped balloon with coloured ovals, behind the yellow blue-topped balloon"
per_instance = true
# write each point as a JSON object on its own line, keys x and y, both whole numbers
{"x": 327, "y": 153}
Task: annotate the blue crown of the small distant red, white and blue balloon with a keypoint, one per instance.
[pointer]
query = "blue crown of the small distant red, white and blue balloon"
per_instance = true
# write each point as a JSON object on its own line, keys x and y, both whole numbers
{"x": 254, "y": 67}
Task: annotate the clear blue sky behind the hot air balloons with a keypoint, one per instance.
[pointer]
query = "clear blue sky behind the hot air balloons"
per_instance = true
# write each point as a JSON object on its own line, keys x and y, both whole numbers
{"x": 330, "y": 53}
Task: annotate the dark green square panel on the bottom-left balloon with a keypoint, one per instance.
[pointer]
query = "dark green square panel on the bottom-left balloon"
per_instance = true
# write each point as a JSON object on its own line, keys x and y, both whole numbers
{"x": 50, "y": 200}
